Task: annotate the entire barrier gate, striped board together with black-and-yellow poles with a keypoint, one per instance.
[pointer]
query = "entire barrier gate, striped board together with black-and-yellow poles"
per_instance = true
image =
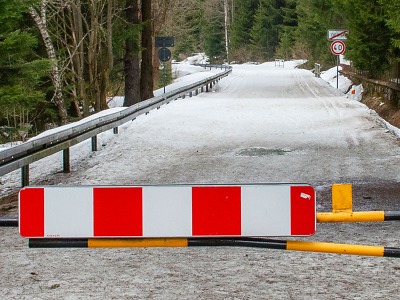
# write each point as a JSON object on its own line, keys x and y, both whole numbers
{"x": 189, "y": 215}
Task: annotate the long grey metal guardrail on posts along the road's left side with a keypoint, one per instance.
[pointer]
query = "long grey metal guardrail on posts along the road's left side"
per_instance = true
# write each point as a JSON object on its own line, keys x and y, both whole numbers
{"x": 33, "y": 150}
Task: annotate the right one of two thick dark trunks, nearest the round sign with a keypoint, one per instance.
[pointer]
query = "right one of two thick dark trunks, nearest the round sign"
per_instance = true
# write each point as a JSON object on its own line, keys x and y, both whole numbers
{"x": 146, "y": 78}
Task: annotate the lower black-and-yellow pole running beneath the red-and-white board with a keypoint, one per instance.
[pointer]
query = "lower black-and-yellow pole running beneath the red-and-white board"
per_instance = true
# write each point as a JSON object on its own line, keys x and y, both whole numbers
{"x": 292, "y": 245}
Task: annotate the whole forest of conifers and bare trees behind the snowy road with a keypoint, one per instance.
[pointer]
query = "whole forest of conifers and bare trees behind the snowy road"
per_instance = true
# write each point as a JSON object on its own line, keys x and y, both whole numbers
{"x": 61, "y": 60}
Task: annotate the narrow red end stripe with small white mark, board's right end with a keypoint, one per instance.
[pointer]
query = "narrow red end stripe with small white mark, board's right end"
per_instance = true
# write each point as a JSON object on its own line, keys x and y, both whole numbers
{"x": 302, "y": 210}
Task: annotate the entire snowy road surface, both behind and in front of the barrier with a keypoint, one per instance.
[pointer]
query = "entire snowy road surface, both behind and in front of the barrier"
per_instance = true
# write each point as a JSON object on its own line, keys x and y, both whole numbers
{"x": 260, "y": 124}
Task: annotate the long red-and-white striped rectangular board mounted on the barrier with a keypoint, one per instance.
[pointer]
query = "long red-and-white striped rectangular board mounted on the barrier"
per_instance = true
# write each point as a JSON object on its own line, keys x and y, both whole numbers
{"x": 167, "y": 211}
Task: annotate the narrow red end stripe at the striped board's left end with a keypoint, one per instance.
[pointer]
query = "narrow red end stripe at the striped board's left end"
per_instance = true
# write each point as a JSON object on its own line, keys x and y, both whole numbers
{"x": 31, "y": 212}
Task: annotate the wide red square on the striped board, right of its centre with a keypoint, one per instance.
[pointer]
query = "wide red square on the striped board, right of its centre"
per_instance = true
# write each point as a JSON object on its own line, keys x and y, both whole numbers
{"x": 216, "y": 211}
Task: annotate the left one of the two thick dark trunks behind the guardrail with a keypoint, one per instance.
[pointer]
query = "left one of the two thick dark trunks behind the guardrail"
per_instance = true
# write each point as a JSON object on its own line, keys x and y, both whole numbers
{"x": 131, "y": 60}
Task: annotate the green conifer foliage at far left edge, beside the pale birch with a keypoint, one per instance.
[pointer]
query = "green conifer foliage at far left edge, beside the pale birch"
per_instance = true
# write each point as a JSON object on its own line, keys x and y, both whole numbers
{"x": 22, "y": 73}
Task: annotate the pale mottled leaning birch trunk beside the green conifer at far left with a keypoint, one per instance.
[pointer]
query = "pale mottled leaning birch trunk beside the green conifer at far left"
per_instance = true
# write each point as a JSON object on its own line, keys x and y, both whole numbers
{"x": 58, "y": 98}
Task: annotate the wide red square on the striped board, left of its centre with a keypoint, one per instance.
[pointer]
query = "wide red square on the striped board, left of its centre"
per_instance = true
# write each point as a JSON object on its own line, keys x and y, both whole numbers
{"x": 118, "y": 211}
